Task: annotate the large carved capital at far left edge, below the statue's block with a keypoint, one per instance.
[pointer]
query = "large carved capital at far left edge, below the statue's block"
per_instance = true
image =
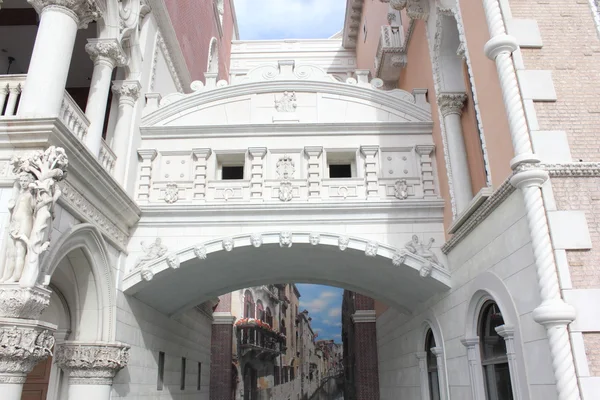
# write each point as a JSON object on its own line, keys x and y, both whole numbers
{"x": 22, "y": 346}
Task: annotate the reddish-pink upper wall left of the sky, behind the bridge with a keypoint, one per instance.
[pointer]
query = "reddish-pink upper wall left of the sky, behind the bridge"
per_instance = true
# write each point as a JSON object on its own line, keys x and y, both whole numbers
{"x": 195, "y": 25}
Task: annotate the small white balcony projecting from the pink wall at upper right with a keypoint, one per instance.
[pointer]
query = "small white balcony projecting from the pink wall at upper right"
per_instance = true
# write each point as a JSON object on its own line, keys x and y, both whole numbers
{"x": 391, "y": 53}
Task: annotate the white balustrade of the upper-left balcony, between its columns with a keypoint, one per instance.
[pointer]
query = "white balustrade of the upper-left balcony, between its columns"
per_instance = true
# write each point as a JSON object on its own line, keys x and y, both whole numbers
{"x": 70, "y": 114}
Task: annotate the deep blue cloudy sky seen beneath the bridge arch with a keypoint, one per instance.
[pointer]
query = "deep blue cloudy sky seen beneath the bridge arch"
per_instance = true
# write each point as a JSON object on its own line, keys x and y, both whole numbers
{"x": 324, "y": 304}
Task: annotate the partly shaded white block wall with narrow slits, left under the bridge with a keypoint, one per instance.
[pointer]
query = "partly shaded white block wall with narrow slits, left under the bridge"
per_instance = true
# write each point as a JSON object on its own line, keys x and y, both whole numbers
{"x": 149, "y": 332}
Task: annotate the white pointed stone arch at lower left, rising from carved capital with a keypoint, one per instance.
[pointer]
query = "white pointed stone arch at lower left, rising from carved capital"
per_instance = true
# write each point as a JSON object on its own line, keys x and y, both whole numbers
{"x": 77, "y": 265}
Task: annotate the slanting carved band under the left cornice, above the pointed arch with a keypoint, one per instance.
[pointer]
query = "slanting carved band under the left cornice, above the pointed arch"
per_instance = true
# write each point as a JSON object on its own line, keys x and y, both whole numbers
{"x": 91, "y": 214}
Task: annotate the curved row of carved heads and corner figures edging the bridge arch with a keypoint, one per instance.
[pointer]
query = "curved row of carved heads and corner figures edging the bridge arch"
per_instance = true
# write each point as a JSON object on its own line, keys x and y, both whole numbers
{"x": 415, "y": 247}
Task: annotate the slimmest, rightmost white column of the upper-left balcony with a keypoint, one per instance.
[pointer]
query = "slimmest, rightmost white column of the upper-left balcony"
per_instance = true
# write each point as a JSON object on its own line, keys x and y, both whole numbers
{"x": 127, "y": 93}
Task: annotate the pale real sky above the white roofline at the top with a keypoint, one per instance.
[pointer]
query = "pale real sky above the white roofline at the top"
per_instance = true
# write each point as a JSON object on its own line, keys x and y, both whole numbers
{"x": 289, "y": 19}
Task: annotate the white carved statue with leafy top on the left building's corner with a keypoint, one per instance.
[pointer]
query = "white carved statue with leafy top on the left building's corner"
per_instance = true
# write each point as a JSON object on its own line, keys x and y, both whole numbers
{"x": 31, "y": 213}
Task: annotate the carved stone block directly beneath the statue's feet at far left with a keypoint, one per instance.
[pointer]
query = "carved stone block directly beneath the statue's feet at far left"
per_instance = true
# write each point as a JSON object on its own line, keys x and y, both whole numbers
{"x": 26, "y": 303}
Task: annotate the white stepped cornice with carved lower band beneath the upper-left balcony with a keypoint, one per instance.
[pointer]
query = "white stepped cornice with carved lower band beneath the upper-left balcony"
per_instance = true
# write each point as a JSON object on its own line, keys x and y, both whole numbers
{"x": 98, "y": 196}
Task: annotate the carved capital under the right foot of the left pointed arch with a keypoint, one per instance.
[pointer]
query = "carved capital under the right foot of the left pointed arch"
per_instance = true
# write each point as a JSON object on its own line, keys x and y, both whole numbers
{"x": 90, "y": 363}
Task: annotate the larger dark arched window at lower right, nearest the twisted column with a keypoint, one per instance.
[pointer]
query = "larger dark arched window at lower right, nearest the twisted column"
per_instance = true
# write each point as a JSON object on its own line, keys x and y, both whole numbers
{"x": 494, "y": 360}
